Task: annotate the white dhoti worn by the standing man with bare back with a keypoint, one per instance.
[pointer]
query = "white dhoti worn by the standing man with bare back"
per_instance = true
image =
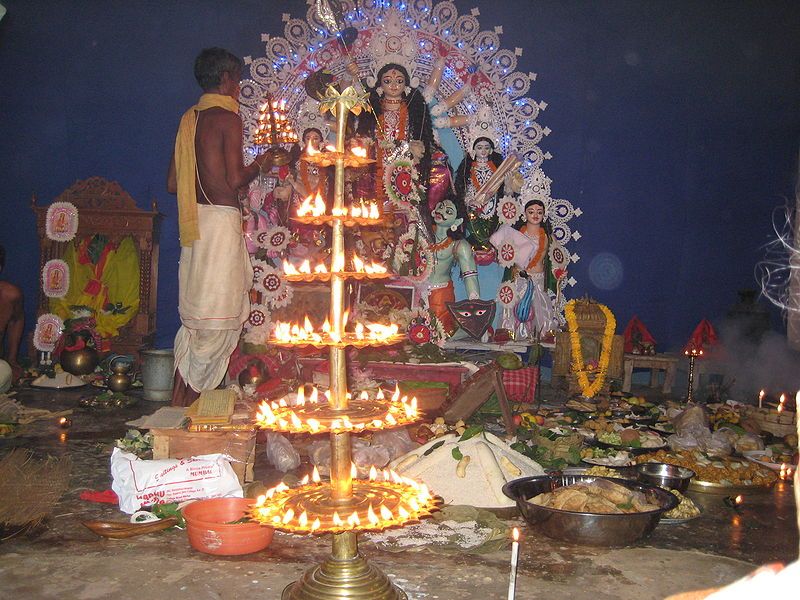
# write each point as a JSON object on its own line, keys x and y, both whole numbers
{"x": 214, "y": 278}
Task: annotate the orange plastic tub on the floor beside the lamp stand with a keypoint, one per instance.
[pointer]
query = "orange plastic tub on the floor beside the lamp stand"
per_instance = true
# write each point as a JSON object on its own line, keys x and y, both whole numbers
{"x": 211, "y": 528}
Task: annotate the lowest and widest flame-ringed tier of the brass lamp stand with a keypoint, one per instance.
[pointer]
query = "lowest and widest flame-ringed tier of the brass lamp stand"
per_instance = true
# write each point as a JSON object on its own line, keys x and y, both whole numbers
{"x": 373, "y": 506}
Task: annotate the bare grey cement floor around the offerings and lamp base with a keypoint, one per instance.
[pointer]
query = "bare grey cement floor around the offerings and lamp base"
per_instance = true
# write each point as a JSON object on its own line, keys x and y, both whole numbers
{"x": 65, "y": 560}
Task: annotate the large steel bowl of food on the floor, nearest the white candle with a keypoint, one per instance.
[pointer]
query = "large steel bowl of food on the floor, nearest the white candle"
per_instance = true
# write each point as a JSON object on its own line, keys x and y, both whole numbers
{"x": 592, "y": 529}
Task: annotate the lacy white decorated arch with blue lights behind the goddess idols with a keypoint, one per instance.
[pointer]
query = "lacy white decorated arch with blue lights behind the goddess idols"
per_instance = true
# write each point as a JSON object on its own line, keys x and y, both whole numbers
{"x": 416, "y": 34}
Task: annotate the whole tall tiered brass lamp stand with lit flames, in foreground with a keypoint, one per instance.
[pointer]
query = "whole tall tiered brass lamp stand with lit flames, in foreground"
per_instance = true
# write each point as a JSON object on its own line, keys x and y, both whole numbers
{"x": 345, "y": 506}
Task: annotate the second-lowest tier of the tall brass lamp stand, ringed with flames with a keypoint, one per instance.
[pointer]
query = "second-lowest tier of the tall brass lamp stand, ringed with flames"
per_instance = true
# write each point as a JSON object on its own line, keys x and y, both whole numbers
{"x": 320, "y": 417}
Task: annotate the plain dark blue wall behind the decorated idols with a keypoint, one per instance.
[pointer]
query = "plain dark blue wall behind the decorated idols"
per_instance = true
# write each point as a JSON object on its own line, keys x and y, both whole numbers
{"x": 675, "y": 128}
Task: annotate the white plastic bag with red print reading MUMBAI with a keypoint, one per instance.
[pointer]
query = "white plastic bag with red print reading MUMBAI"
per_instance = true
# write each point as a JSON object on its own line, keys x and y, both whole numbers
{"x": 140, "y": 482}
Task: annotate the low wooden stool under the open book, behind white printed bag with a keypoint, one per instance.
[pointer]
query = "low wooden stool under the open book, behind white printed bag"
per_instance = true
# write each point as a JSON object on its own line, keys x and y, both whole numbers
{"x": 179, "y": 443}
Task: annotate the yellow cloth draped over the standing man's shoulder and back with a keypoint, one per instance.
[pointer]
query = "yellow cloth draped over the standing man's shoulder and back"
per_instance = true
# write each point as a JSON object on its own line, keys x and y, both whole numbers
{"x": 186, "y": 164}
